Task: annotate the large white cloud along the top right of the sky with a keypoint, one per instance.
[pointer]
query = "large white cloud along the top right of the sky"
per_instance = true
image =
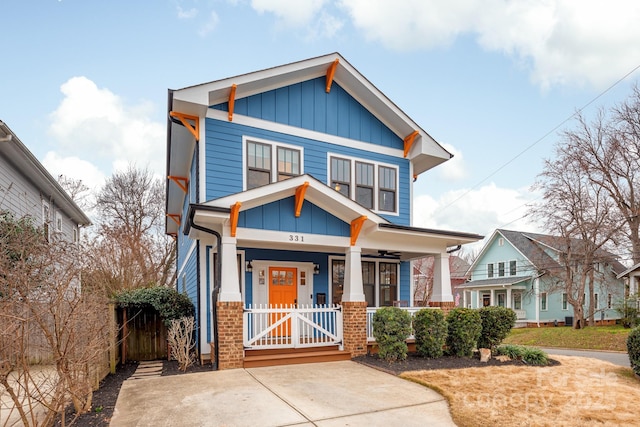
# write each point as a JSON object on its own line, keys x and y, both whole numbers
{"x": 562, "y": 41}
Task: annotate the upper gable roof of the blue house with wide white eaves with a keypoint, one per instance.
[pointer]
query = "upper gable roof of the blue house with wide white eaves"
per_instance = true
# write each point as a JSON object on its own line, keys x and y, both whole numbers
{"x": 425, "y": 153}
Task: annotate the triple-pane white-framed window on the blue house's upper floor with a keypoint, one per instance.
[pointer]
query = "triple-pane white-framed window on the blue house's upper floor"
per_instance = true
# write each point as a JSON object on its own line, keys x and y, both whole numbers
{"x": 372, "y": 186}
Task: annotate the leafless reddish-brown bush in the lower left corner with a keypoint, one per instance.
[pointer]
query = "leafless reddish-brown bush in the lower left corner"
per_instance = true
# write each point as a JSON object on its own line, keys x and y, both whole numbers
{"x": 53, "y": 336}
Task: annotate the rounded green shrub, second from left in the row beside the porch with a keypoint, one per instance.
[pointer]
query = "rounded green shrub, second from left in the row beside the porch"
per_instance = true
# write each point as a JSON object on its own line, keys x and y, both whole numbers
{"x": 430, "y": 329}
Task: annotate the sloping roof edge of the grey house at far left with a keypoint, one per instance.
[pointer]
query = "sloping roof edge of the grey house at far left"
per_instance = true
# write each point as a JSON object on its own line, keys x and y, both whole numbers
{"x": 28, "y": 165}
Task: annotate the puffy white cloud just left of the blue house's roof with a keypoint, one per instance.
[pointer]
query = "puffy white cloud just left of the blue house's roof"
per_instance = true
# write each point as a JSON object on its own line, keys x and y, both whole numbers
{"x": 97, "y": 126}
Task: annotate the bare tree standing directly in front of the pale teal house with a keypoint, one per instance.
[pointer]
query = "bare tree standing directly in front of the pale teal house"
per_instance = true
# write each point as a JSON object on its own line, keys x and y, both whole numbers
{"x": 580, "y": 211}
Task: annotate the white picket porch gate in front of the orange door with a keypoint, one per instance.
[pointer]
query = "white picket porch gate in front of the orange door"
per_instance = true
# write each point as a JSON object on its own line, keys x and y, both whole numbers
{"x": 292, "y": 327}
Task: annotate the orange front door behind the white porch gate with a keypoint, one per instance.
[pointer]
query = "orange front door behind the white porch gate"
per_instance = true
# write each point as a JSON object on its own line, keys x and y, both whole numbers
{"x": 283, "y": 292}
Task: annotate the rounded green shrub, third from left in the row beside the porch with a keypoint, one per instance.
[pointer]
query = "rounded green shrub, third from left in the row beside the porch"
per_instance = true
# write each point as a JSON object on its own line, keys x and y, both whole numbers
{"x": 463, "y": 331}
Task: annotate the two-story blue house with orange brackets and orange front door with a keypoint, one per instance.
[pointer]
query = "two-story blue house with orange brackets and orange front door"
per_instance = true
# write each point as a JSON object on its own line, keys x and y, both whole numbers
{"x": 289, "y": 192}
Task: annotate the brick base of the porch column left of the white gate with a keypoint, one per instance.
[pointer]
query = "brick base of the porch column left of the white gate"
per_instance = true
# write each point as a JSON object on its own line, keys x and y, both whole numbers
{"x": 230, "y": 346}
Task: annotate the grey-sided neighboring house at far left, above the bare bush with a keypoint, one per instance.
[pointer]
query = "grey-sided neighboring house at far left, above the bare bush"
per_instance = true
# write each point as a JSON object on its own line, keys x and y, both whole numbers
{"x": 28, "y": 189}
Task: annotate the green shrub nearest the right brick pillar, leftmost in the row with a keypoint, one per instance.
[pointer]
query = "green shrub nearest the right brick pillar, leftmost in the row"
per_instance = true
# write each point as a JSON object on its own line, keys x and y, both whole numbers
{"x": 391, "y": 328}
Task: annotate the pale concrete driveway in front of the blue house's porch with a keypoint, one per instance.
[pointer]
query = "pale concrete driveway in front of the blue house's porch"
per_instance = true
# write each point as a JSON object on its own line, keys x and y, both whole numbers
{"x": 319, "y": 394}
